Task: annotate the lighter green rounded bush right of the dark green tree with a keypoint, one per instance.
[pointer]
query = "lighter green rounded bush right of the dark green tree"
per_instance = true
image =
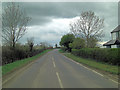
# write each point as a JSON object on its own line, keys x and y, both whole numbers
{"x": 77, "y": 43}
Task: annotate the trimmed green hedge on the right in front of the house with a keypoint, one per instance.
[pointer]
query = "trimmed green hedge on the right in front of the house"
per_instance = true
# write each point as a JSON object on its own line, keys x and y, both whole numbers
{"x": 108, "y": 55}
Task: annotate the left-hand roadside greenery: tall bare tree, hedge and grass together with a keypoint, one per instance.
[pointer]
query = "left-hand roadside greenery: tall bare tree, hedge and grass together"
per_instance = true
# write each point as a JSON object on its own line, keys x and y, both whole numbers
{"x": 14, "y": 26}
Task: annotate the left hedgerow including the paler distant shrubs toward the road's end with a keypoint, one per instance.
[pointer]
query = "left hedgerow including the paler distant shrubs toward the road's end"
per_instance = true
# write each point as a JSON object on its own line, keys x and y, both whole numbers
{"x": 10, "y": 54}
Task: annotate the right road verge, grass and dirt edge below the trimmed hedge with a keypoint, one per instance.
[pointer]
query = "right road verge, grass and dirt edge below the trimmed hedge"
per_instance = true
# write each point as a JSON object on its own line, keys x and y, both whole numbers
{"x": 88, "y": 64}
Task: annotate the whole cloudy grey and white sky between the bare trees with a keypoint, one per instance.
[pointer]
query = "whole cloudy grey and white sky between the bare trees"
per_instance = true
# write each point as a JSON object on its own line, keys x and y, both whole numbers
{"x": 50, "y": 20}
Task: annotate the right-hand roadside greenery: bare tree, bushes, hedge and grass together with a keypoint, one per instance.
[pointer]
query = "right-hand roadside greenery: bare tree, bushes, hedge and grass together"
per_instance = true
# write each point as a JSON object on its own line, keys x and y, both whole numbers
{"x": 81, "y": 44}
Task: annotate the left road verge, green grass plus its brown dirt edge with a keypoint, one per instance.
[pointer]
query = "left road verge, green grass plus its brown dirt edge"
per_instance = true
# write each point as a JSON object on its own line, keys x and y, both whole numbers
{"x": 8, "y": 75}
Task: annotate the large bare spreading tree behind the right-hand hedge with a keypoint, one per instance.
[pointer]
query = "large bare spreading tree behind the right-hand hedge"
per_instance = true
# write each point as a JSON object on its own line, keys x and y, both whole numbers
{"x": 88, "y": 26}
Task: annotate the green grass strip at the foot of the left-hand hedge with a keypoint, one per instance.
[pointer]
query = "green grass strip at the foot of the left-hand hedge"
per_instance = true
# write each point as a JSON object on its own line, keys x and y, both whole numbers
{"x": 9, "y": 67}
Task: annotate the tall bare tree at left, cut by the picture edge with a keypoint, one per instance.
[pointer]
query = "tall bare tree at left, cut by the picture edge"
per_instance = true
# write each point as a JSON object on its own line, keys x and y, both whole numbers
{"x": 14, "y": 23}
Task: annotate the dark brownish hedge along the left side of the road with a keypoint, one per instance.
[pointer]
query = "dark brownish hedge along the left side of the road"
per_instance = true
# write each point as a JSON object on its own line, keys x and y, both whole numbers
{"x": 10, "y": 54}
